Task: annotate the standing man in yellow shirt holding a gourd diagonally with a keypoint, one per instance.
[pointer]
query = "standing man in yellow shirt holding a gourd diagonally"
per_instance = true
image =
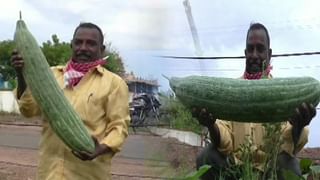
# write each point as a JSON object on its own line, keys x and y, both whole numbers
{"x": 99, "y": 97}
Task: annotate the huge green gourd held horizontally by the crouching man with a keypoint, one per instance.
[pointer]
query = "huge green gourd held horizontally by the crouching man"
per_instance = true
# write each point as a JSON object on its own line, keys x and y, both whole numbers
{"x": 258, "y": 101}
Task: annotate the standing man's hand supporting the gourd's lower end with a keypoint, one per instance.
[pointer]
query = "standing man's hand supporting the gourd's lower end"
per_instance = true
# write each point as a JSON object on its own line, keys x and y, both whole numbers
{"x": 99, "y": 150}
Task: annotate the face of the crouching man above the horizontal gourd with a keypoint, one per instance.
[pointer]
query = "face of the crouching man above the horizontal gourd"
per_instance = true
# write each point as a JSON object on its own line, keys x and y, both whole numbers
{"x": 257, "y": 51}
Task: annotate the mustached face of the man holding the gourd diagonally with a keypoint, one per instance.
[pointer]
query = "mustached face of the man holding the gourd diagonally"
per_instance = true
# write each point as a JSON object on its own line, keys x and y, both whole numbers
{"x": 86, "y": 45}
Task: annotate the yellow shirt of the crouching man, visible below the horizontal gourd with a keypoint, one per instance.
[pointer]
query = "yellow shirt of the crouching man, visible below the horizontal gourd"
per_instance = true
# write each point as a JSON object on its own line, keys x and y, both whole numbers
{"x": 233, "y": 134}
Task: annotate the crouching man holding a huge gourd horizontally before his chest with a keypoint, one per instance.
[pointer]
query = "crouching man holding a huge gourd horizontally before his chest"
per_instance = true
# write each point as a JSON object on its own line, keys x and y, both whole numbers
{"x": 228, "y": 136}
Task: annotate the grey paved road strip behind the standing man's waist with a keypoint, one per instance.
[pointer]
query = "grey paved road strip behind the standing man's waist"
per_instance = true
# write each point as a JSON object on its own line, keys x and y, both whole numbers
{"x": 136, "y": 146}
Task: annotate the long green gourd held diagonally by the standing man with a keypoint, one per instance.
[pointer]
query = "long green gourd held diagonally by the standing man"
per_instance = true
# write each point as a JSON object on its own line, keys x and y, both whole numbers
{"x": 62, "y": 117}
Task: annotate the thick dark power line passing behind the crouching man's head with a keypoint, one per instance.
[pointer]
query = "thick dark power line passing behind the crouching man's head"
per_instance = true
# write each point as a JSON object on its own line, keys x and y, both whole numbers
{"x": 241, "y": 57}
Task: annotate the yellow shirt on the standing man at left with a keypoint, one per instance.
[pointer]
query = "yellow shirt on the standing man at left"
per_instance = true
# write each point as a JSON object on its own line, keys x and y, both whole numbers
{"x": 101, "y": 100}
